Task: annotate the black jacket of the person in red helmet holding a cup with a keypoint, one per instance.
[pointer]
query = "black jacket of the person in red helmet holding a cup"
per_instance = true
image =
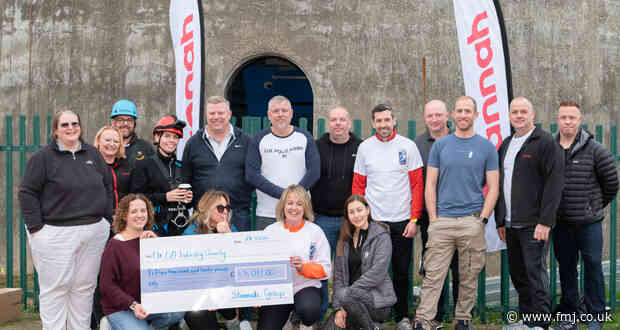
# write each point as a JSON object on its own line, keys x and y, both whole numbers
{"x": 149, "y": 179}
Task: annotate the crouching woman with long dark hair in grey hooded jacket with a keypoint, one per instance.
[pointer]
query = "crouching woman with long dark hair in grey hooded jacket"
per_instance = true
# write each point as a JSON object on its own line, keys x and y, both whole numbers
{"x": 363, "y": 291}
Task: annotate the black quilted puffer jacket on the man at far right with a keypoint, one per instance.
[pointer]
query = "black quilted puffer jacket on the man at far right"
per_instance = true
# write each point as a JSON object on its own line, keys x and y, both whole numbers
{"x": 591, "y": 181}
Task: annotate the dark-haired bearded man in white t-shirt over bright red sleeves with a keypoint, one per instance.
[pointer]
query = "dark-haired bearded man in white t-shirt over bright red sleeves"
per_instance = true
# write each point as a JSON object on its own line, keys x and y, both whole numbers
{"x": 388, "y": 172}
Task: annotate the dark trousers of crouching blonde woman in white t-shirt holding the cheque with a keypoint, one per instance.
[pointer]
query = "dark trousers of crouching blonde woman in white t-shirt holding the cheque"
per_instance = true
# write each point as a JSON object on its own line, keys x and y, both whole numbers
{"x": 307, "y": 305}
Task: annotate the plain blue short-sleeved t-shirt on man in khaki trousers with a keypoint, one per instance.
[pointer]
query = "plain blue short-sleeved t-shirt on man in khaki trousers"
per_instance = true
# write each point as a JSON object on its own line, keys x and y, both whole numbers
{"x": 462, "y": 165}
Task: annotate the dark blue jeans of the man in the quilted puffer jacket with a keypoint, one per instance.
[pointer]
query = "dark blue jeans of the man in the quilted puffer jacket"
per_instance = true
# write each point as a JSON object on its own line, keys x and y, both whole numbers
{"x": 570, "y": 240}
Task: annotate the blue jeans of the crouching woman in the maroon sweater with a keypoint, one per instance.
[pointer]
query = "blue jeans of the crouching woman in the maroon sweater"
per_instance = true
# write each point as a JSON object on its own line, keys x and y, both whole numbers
{"x": 127, "y": 320}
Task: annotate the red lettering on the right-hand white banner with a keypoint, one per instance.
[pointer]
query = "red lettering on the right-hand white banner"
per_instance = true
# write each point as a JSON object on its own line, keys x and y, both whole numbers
{"x": 484, "y": 55}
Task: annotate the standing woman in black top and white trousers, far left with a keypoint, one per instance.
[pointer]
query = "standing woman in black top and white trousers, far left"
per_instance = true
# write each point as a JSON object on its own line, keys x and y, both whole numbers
{"x": 65, "y": 197}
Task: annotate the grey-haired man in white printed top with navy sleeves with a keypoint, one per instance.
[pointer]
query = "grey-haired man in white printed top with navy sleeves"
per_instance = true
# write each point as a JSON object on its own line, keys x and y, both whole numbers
{"x": 277, "y": 157}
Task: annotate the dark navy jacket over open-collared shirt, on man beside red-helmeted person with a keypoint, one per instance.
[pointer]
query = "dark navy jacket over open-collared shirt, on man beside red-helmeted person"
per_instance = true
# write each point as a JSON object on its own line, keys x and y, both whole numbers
{"x": 205, "y": 172}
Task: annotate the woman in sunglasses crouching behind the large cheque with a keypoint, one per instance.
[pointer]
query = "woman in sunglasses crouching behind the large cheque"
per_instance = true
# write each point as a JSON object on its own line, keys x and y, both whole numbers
{"x": 212, "y": 216}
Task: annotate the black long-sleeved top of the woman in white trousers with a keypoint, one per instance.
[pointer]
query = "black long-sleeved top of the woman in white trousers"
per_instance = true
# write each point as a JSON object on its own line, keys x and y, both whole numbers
{"x": 65, "y": 189}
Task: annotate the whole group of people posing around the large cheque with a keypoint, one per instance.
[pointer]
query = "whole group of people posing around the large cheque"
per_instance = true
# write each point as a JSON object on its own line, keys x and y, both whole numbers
{"x": 352, "y": 208}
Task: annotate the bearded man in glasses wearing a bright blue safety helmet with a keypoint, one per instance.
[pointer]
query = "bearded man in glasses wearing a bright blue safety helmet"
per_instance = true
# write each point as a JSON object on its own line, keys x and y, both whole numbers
{"x": 123, "y": 117}
